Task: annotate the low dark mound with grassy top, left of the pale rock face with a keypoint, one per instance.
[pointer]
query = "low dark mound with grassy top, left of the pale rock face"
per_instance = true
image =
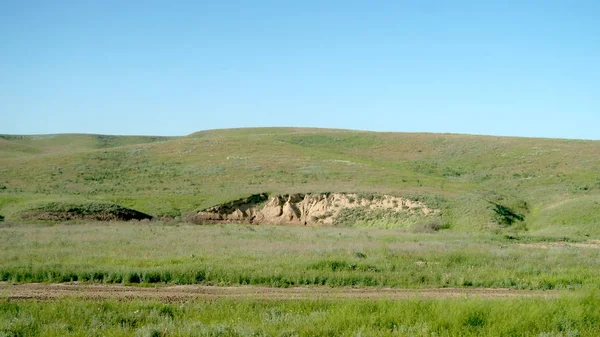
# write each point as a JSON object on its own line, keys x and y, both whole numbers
{"x": 100, "y": 211}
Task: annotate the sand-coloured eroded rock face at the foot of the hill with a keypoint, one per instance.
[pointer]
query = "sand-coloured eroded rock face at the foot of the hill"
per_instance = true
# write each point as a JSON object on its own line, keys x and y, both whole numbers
{"x": 304, "y": 209}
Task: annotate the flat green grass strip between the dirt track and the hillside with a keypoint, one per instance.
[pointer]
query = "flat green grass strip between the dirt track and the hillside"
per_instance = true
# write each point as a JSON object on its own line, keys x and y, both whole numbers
{"x": 155, "y": 253}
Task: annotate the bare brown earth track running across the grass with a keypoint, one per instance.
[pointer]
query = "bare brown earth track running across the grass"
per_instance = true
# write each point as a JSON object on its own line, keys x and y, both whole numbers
{"x": 42, "y": 291}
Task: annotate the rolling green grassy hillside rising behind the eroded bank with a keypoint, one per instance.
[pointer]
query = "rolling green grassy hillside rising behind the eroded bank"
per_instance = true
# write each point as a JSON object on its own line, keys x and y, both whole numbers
{"x": 480, "y": 182}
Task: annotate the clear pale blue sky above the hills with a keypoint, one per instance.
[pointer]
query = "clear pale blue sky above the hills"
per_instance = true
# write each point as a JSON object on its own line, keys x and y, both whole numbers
{"x": 525, "y": 68}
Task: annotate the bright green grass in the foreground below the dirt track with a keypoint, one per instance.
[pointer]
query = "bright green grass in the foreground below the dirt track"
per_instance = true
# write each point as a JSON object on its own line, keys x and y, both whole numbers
{"x": 576, "y": 315}
